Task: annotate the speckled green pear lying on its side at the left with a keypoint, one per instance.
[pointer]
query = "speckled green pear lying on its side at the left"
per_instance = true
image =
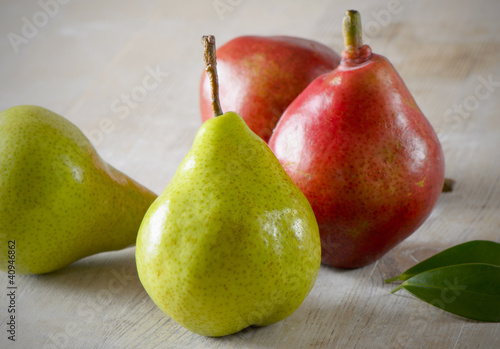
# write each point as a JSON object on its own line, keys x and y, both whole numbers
{"x": 59, "y": 200}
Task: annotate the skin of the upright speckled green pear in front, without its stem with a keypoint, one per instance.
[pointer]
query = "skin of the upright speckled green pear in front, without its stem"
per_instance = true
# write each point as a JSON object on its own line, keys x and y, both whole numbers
{"x": 232, "y": 241}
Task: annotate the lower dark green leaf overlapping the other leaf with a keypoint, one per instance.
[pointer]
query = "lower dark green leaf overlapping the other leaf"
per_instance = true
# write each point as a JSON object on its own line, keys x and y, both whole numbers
{"x": 471, "y": 290}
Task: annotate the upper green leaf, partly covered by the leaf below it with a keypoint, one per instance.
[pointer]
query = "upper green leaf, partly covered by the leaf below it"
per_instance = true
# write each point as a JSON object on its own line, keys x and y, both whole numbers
{"x": 477, "y": 251}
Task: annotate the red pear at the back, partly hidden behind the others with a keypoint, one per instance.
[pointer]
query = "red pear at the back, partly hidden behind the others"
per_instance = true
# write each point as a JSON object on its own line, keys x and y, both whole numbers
{"x": 260, "y": 76}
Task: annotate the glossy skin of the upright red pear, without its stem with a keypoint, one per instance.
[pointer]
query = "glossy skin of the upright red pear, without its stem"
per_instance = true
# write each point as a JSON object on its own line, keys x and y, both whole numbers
{"x": 365, "y": 156}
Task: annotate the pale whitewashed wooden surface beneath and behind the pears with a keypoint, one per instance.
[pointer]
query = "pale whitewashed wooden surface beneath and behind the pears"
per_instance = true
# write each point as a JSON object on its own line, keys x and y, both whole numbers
{"x": 83, "y": 56}
